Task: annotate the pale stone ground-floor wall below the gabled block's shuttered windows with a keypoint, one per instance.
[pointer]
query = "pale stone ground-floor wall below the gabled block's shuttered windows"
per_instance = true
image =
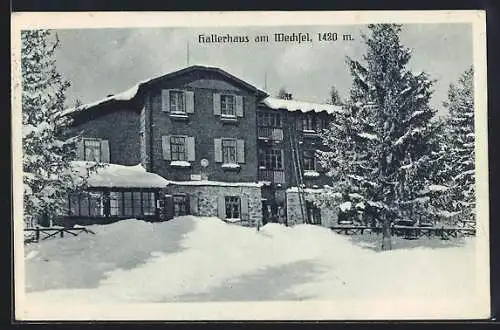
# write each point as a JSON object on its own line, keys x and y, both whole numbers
{"x": 205, "y": 199}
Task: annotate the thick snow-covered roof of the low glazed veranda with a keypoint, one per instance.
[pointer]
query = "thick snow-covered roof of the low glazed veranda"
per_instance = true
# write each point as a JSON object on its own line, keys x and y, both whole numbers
{"x": 119, "y": 176}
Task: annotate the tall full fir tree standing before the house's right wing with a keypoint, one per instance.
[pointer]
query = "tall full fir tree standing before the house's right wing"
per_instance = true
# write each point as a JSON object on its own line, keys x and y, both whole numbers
{"x": 381, "y": 147}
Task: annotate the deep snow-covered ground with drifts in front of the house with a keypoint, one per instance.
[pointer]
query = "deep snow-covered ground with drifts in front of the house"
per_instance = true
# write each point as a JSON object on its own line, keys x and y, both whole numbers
{"x": 196, "y": 259}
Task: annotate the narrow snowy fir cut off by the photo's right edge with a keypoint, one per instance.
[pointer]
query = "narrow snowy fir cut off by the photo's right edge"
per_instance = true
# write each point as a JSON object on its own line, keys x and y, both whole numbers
{"x": 461, "y": 146}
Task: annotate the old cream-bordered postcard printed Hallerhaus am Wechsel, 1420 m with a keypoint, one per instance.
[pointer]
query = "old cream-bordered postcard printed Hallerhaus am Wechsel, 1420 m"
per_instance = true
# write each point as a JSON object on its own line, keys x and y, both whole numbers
{"x": 250, "y": 165}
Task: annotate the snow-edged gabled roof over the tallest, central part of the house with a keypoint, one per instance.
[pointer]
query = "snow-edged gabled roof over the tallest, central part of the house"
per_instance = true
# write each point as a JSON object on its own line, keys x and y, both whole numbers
{"x": 130, "y": 93}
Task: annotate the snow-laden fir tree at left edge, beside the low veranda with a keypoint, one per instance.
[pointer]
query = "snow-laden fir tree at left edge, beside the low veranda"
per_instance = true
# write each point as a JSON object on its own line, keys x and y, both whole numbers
{"x": 47, "y": 150}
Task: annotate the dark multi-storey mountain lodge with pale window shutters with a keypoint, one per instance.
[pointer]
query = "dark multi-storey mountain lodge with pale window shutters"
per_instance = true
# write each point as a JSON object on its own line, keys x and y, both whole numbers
{"x": 224, "y": 147}
